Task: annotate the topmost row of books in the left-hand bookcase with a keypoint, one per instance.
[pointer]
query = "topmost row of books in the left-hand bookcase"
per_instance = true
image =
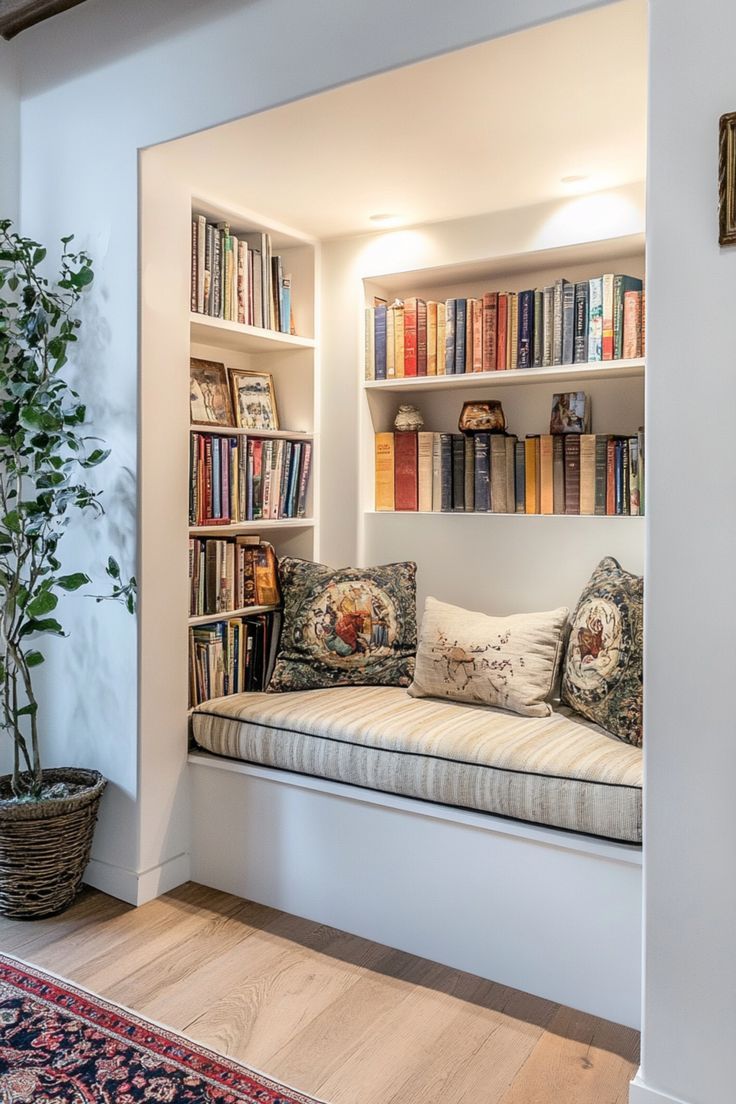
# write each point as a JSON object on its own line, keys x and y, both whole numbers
{"x": 239, "y": 279}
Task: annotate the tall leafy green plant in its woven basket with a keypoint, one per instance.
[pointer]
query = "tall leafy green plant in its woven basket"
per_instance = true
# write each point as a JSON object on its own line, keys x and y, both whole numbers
{"x": 47, "y": 816}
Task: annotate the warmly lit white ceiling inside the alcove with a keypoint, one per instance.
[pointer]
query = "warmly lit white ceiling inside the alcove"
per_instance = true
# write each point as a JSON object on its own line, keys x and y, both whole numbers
{"x": 487, "y": 129}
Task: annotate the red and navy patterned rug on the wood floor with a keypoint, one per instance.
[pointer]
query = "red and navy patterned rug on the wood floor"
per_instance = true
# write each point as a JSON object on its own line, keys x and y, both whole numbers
{"x": 59, "y": 1044}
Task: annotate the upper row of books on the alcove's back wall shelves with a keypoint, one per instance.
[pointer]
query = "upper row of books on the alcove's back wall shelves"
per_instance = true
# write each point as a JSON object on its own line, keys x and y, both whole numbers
{"x": 562, "y": 324}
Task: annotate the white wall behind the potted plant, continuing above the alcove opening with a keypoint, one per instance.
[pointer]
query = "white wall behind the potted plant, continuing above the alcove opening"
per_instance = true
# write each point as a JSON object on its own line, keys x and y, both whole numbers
{"x": 100, "y": 83}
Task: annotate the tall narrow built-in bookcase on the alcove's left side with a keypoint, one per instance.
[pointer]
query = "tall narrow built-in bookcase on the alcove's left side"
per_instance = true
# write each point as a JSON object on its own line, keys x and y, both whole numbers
{"x": 226, "y": 644}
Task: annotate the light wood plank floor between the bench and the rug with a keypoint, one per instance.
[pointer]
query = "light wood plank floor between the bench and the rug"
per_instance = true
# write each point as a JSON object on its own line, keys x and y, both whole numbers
{"x": 349, "y": 1021}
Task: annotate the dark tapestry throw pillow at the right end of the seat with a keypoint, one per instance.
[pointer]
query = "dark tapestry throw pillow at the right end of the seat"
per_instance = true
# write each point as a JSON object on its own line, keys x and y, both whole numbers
{"x": 603, "y": 674}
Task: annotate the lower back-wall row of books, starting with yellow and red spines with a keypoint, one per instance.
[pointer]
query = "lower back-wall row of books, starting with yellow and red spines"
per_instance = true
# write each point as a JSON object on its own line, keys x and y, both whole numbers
{"x": 577, "y": 474}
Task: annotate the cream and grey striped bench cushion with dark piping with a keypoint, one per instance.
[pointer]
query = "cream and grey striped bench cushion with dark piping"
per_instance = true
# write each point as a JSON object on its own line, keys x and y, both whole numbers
{"x": 558, "y": 771}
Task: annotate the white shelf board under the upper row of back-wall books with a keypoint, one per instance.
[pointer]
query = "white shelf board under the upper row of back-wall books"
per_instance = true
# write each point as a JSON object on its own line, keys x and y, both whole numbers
{"x": 560, "y": 374}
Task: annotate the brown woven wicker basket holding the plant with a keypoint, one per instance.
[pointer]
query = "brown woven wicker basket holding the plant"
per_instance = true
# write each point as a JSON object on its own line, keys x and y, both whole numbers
{"x": 45, "y": 846}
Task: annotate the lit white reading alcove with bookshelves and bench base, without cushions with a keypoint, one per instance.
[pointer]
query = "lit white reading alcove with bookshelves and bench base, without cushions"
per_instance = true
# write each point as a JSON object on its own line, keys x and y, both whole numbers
{"x": 421, "y": 186}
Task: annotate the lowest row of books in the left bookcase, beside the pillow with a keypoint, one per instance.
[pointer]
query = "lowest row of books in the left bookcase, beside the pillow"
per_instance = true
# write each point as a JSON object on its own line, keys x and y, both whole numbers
{"x": 232, "y": 656}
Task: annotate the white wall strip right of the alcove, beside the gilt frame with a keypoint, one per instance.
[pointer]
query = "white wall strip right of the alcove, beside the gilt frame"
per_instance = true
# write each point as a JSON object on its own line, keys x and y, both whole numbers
{"x": 690, "y": 965}
